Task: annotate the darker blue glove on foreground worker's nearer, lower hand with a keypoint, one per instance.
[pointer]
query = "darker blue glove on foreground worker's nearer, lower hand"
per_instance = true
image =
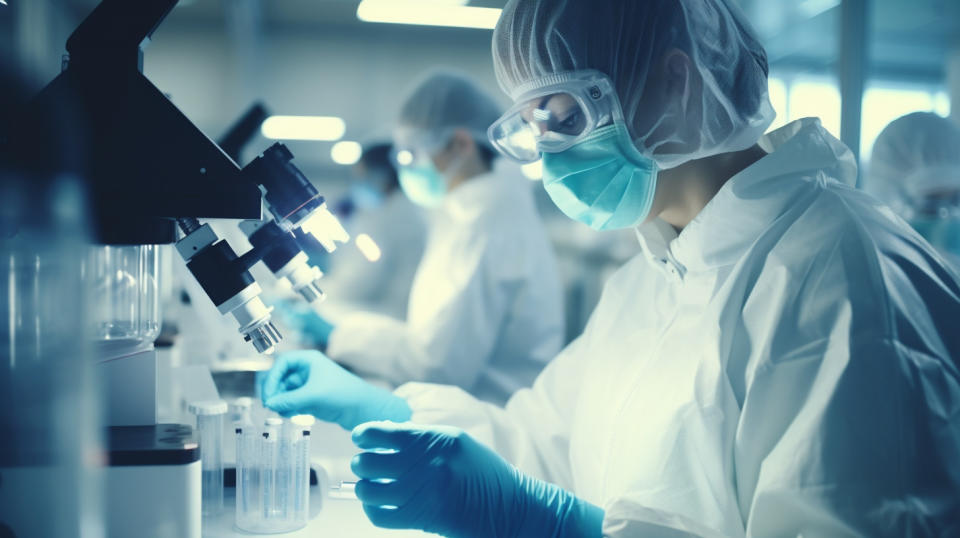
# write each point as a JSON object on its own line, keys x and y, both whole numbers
{"x": 438, "y": 479}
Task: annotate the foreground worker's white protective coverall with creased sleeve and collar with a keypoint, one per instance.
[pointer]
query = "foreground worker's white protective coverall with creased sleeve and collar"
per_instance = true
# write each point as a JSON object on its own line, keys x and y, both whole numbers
{"x": 782, "y": 368}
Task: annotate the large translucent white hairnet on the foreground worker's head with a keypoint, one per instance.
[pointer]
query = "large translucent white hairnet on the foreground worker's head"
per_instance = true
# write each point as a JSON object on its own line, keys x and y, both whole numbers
{"x": 625, "y": 39}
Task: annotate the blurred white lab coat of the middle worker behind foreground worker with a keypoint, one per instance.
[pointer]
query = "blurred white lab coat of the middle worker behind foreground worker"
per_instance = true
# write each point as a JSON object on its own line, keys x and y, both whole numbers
{"x": 485, "y": 310}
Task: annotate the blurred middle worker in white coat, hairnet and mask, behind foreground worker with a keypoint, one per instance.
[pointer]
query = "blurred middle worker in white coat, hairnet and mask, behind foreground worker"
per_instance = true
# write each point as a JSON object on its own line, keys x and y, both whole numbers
{"x": 485, "y": 309}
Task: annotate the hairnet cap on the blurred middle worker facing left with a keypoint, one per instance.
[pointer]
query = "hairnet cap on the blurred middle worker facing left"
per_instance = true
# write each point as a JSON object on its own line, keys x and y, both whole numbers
{"x": 442, "y": 102}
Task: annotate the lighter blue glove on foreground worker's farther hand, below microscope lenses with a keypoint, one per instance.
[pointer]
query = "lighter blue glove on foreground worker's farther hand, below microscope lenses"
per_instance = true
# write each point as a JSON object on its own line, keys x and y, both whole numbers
{"x": 308, "y": 383}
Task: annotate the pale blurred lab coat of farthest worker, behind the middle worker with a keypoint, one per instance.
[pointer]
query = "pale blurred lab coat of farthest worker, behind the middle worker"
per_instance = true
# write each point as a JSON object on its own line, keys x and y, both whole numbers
{"x": 399, "y": 229}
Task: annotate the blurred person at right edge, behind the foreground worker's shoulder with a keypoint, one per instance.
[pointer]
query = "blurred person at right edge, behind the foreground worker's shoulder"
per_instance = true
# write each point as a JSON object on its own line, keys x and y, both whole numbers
{"x": 915, "y": 169}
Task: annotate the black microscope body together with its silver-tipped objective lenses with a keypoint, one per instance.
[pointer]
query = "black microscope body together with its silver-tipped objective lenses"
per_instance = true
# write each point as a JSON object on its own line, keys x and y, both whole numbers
{"x": 140, "y": 194}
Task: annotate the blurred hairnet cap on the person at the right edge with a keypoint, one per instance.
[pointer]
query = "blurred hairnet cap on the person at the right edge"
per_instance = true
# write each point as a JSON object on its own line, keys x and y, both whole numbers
{"x": 914, "y": 155}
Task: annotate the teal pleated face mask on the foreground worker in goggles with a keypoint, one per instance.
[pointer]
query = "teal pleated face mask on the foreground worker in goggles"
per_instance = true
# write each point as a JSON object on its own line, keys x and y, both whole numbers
{"x": 602, "y": 181}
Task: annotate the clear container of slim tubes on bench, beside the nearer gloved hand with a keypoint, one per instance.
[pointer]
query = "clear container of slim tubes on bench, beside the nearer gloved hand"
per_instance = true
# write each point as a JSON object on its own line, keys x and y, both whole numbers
{"x": 273, "y": 475}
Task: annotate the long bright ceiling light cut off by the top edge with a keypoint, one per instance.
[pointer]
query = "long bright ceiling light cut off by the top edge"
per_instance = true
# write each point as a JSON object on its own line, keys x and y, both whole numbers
{"x": 428, "y": 13}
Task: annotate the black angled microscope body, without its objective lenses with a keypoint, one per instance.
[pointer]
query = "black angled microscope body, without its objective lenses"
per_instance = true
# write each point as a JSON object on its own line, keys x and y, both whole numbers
{"x": 144, "y": 161}
